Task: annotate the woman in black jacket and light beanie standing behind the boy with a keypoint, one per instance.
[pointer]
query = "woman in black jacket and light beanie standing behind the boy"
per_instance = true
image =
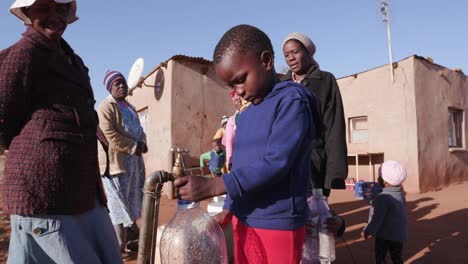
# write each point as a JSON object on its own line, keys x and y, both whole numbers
{"x": 329, "y": 151}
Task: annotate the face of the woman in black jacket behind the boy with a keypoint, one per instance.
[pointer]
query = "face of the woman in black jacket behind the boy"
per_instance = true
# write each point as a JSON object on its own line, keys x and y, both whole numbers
{"x": 297, "y": 57}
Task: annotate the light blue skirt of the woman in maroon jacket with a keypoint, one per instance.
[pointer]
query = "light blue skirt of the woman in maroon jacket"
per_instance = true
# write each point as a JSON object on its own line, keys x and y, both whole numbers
{"x": 85, "y": 238}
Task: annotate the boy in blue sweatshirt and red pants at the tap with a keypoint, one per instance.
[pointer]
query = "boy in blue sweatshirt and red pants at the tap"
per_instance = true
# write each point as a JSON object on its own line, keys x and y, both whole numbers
{"x": 267, "y": 187}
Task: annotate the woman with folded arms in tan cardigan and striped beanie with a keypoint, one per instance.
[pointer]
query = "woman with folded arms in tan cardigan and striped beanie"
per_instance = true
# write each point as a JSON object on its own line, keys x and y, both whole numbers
{"x": 119, "y": 122}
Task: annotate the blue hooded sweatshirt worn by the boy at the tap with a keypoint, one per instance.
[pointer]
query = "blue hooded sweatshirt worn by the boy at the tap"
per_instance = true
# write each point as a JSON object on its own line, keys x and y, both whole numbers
{"x": 267, "y": 186}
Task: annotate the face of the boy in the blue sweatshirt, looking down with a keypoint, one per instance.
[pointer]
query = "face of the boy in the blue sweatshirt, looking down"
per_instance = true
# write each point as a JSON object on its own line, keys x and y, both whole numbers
{"x": 249, "y": 74}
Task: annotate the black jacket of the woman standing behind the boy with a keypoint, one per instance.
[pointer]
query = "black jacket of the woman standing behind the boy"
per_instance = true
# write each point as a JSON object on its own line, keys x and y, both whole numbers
{"x": 329, "y": 155}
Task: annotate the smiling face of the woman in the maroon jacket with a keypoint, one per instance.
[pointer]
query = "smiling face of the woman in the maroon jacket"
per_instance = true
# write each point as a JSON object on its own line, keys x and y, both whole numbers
{"x": 49, "y": 18}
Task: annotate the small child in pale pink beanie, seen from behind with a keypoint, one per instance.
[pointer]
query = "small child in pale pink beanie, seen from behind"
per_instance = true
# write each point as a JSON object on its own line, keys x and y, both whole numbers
{"x": 387, "y": 217}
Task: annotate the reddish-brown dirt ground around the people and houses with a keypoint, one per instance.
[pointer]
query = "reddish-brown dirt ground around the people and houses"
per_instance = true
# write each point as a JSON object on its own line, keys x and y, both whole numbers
{"x": 438, "y": 232}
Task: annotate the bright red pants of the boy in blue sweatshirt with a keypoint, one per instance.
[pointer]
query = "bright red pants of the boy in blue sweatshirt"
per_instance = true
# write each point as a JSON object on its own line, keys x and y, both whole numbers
{"x": 265, "y": 246}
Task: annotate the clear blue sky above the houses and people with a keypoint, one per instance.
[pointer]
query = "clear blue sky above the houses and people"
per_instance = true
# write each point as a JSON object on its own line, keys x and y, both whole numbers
{"x": 350, "y": 35}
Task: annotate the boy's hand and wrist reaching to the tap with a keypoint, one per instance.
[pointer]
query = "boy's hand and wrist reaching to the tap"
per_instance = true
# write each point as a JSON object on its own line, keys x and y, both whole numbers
{"x": 197, "y": 188}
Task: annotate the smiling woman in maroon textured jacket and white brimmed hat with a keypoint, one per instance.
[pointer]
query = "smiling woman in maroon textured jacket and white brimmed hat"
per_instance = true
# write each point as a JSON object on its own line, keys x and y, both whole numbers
{"x": 52, "y": 188}
